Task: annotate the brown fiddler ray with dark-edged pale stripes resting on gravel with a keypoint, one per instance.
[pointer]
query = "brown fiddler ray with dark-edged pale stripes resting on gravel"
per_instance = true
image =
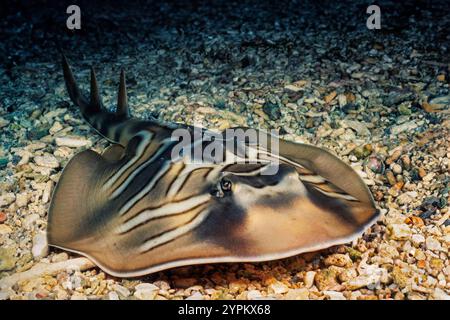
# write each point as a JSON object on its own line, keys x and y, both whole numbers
{"x": 137, "y": 209}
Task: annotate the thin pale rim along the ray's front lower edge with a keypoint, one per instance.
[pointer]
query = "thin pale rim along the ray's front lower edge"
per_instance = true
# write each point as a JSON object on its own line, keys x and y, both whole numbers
{"x": 228, "y": 259}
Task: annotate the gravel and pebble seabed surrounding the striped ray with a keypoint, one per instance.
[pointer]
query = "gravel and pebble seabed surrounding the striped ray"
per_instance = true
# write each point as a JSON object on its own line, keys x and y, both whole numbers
{"x": 379, "y": 99}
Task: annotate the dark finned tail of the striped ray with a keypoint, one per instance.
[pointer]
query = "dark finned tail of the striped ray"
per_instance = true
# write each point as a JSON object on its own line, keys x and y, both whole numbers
{"x": 117, "y": 126}
